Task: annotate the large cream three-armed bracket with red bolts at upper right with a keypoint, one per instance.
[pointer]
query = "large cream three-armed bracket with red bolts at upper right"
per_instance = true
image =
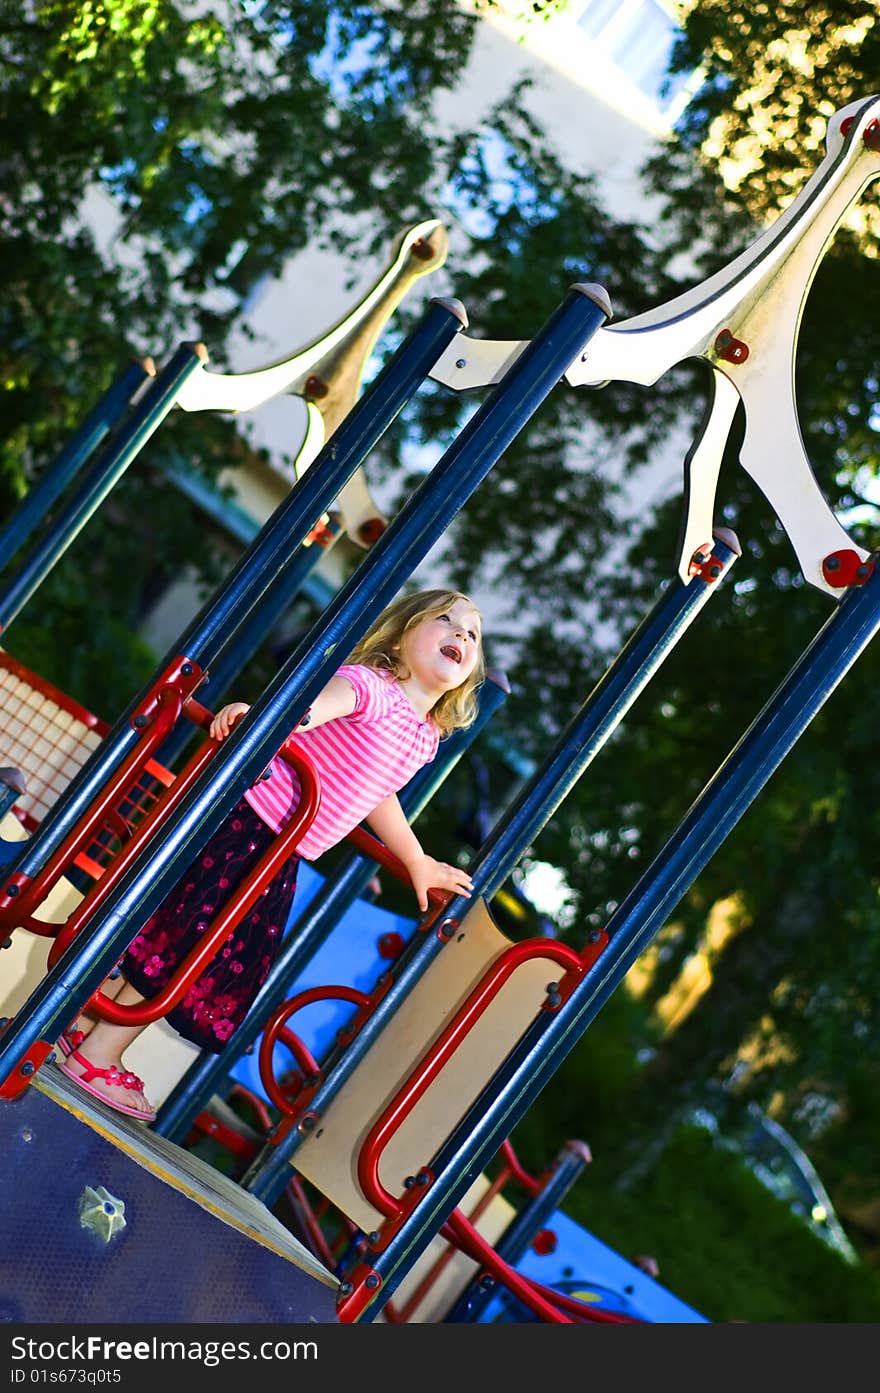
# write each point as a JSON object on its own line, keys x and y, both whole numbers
{"x": 744, "y": 321}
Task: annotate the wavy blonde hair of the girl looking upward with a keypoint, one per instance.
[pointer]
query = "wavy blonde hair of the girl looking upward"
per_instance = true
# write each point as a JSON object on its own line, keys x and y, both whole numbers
{"x": 381, "y": 648}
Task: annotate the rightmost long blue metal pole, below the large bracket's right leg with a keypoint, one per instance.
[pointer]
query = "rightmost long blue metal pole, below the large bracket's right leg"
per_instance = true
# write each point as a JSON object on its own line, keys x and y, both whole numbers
{"x": 633, "y": 926}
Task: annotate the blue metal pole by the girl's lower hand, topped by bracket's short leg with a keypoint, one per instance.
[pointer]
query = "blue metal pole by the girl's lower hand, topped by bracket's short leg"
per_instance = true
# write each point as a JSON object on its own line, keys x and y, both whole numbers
{"x": 519, "y": 827}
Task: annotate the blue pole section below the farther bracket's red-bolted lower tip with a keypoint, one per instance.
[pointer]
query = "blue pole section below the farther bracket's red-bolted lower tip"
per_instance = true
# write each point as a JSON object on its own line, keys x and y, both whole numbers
{"x": 251, "y": 635}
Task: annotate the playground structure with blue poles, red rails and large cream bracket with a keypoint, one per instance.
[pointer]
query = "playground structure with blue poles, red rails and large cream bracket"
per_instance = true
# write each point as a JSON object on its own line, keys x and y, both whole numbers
{"x": 460, "y": 1032}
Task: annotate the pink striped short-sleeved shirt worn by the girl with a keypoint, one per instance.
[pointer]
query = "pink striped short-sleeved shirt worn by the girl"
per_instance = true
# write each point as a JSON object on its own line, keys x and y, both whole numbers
{"x": 361, "y": 758}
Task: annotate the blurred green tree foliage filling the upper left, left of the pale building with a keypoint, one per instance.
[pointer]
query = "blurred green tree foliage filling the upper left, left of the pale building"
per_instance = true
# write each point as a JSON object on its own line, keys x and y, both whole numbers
{"x": 218, "y": 146}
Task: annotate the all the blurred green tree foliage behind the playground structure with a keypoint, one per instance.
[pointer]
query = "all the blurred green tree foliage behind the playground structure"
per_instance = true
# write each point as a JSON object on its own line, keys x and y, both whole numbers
{"x": 225, "y": 141}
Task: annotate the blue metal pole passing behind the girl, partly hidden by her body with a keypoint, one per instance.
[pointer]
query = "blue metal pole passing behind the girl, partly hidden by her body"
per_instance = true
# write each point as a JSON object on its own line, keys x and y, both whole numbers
{"x": 307, "y": 934}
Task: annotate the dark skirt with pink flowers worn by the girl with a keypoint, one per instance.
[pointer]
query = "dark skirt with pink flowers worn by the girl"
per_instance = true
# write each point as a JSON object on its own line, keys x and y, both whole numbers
{"x": 221, "y": 998}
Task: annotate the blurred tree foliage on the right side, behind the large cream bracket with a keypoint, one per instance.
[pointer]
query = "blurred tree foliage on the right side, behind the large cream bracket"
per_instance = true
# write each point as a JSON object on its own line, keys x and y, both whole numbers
{"x": 789, "y": 1019}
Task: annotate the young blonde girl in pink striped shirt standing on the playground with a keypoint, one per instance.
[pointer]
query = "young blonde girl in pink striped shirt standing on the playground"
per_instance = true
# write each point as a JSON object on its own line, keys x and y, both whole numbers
{"x": 411, "y": 680}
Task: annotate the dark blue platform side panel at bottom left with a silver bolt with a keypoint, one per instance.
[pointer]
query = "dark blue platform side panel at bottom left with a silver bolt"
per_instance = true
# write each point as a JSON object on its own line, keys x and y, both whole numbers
{"x": 187, "y": 1252}
